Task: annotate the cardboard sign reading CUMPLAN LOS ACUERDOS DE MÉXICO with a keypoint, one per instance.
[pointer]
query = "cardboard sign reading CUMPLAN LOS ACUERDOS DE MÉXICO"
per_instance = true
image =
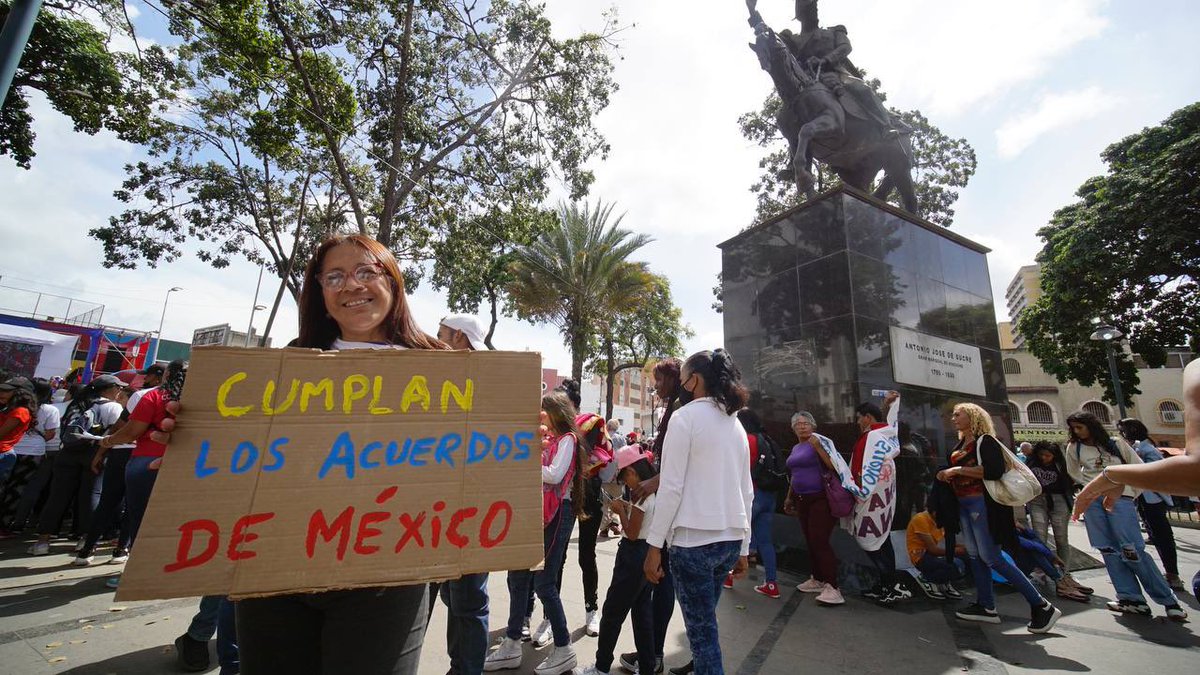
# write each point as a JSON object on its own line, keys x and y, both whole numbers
{"x": 298, "y": 470}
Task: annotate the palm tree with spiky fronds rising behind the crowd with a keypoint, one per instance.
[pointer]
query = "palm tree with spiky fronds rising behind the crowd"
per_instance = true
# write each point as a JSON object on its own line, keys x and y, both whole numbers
{"x": 579, "y": 274}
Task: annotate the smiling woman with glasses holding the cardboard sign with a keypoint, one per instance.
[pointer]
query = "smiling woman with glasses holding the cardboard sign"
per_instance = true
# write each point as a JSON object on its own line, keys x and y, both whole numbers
{"x": 353, "y": 298}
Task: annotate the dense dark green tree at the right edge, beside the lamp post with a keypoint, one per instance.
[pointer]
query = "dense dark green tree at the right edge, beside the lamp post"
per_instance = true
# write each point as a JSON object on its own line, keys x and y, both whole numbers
{"x": 1127, "y": 253}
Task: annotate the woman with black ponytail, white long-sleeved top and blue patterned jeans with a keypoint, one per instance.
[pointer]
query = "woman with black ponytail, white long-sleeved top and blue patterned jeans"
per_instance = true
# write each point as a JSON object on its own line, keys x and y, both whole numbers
{"x": 704, "y": 500}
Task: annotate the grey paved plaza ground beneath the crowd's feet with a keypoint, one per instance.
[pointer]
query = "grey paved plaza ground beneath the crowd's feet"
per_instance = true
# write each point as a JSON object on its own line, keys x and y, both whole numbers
{"x": 61, "y": 619}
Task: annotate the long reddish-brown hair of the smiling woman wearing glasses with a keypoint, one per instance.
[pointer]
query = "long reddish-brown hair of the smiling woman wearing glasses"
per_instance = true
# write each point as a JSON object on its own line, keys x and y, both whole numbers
{"x": 319, "y": 330}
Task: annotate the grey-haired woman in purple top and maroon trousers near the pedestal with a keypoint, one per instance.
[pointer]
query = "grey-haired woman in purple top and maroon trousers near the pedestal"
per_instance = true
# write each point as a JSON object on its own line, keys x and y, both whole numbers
{"x": 807, "y": 500}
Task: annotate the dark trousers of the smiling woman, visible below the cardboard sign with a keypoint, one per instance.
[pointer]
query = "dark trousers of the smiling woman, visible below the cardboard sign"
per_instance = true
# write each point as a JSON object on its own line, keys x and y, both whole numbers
{"x": 365, "y": 632}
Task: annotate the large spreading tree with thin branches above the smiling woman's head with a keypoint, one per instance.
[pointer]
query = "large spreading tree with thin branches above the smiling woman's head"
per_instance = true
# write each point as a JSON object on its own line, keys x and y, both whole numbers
{"x": 406, "y": 121}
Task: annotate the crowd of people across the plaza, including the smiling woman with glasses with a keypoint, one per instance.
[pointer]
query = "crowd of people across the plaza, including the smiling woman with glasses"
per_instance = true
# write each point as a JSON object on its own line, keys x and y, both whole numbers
{"x": 692, "y": 505}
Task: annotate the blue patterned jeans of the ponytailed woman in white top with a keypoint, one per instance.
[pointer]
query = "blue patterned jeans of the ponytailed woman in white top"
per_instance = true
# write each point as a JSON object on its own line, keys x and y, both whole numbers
{"x": 699, "y": 575}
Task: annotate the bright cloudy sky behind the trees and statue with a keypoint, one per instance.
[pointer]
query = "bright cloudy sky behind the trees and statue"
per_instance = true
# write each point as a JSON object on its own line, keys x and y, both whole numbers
{"x": 1037, "y": 88}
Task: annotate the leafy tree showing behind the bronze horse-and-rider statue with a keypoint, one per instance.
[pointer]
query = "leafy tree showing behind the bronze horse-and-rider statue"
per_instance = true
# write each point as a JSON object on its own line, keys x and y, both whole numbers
{"x": 944, "y": 165}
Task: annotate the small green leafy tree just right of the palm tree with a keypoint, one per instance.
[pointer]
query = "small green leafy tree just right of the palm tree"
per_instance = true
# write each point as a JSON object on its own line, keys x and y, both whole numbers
{"x": 633, "y": 339}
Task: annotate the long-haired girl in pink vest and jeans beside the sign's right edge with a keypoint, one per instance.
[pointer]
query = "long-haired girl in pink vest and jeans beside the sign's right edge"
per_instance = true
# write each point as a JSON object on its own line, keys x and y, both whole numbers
{"x": 563, "y": 463}
